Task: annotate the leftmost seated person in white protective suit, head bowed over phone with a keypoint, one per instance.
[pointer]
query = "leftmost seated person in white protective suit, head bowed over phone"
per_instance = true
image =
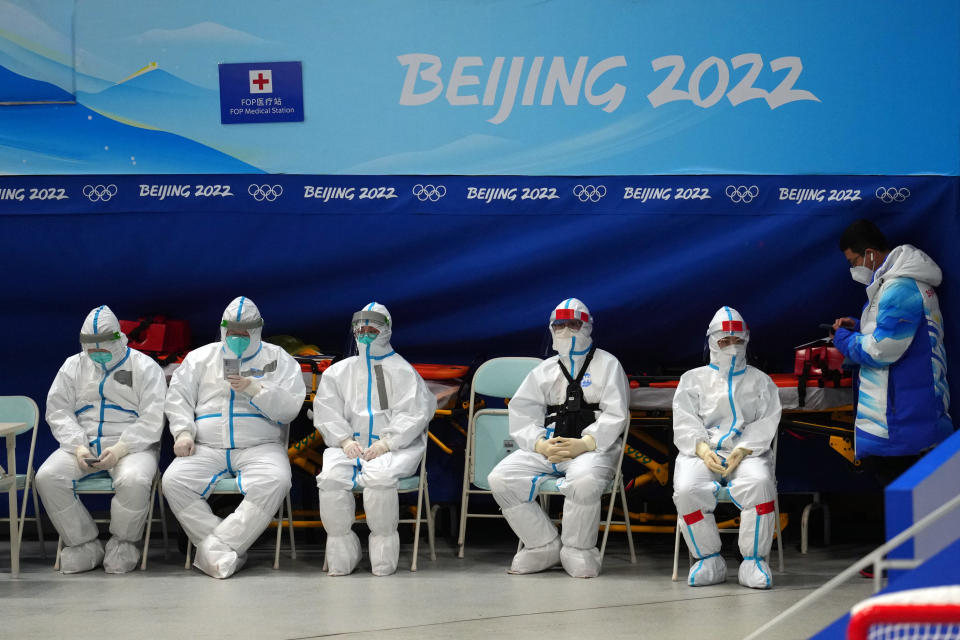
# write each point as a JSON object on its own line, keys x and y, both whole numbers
{"x": 105, "y": 408}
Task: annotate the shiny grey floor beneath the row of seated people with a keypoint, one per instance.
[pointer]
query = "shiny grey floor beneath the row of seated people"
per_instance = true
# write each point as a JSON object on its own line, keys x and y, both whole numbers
{"x": 449, "y": 598}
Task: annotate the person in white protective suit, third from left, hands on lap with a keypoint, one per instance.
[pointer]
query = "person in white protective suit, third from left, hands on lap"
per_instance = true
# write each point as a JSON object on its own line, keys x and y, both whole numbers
{"x": 372, "y": 410}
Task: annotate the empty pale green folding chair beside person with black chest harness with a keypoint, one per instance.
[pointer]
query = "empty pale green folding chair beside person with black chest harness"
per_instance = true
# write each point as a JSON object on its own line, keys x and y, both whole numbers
{"x": 488, "y": 431}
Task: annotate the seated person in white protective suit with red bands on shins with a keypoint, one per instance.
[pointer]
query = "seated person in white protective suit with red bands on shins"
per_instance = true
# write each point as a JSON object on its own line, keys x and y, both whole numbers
{"x": 725, "y": 416}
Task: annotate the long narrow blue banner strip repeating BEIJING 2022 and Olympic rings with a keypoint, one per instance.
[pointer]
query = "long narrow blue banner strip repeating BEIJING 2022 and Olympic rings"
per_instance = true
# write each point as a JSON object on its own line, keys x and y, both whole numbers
{"x": 472, "y": 195}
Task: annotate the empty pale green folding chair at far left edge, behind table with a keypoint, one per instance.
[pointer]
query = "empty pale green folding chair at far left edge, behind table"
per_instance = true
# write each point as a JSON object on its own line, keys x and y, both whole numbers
{"x": 21, "y": 409}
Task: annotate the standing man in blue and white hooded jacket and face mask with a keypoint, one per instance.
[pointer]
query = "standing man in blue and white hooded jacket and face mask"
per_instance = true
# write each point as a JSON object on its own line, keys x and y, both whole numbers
{"x": 903, "y": 401}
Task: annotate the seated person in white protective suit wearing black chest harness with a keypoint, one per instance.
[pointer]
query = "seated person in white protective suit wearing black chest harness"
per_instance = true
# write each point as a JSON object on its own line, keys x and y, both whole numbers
{"x": 567, "y": 420}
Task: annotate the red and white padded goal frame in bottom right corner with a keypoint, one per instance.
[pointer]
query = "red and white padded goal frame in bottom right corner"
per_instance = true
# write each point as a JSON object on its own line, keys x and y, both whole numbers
{"x": 915, "y": 614}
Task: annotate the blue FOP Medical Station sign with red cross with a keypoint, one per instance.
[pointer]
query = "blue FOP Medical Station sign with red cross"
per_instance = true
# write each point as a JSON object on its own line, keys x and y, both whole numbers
{"x": 261, "y": 92}
